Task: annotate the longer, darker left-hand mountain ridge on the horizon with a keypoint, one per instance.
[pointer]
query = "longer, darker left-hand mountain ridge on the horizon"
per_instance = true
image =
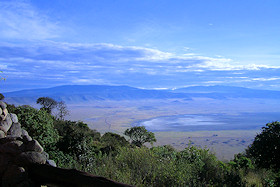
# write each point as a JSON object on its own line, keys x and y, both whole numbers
{"x": 84, "y": 93}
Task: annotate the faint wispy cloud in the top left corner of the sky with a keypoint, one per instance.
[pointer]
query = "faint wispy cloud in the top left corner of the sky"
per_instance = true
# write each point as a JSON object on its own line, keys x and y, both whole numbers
{"x": 19, "y": 20}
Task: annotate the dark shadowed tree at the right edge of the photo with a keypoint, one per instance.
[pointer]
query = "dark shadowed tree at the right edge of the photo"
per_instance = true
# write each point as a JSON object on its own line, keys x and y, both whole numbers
{"x": 265, "y": 148}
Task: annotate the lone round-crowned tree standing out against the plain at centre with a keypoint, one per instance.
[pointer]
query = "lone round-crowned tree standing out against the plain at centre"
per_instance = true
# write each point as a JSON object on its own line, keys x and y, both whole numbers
{"x": 140, "y": 135}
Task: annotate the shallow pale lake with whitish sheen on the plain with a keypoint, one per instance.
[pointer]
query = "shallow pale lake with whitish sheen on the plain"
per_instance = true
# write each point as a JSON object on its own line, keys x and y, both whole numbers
{"x": 196, "y": 122}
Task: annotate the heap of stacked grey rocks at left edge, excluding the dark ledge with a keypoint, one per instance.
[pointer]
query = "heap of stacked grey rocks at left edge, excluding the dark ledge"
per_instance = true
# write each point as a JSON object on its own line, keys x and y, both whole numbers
{"x": 17, "y": 151}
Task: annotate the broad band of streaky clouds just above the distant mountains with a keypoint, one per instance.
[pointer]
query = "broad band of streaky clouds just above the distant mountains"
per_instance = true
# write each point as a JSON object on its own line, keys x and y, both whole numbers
{"x": 47, "y": 64}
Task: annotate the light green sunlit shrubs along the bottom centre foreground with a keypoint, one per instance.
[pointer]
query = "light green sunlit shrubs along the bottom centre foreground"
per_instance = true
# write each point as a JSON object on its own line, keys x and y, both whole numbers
{"x": 163, "y": 166}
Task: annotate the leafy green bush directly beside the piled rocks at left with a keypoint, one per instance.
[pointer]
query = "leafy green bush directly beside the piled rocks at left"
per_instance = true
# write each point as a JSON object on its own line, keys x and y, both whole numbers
{"x": 38, "y": 123}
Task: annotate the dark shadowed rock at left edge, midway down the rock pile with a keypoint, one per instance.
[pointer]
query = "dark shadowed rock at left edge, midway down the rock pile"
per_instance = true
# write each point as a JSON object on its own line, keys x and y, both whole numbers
{"x": 13, "y": 147}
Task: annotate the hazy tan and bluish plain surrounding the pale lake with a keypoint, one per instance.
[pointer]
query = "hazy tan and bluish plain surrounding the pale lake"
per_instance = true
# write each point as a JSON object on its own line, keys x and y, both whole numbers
{"x": 117, "y": 116}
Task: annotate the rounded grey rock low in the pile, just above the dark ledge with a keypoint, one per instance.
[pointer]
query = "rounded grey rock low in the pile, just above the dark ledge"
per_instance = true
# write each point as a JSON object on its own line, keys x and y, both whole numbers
{"x": 30, "y": 157}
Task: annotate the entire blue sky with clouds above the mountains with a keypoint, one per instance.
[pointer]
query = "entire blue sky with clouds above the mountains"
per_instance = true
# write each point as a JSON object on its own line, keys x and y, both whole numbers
{"x": 140, "y": 43}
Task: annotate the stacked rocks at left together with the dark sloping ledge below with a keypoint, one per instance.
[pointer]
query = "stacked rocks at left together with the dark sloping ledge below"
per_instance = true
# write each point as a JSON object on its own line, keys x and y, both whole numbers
{"x": 24, "y": 163}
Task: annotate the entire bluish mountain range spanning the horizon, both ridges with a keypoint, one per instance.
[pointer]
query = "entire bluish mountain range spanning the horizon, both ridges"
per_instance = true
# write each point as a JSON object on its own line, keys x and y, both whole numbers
{"x": 86, "y": 93}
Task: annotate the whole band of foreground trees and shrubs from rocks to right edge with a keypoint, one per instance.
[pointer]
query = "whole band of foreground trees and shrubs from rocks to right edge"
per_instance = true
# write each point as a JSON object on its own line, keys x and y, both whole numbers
{"x": 73, "y": 145}
